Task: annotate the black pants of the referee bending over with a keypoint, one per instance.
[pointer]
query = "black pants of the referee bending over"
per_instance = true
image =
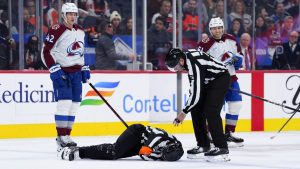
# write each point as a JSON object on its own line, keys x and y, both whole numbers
{"x": 209, "y": 109}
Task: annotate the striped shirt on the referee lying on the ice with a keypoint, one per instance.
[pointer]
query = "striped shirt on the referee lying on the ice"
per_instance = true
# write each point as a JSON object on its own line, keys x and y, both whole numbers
{"x": 157, "y": 139}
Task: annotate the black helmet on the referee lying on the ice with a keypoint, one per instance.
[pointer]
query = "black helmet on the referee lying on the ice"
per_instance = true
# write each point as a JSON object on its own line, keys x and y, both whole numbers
{"x": 172, "y": 152}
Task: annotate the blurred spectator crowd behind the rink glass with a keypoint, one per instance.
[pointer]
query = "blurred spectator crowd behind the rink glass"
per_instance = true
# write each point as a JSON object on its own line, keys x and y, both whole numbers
{"x": 268, "y": 31}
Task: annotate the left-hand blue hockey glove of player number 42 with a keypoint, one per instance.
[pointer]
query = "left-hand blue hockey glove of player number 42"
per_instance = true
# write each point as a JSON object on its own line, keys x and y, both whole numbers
{"x": 57, "y": 75}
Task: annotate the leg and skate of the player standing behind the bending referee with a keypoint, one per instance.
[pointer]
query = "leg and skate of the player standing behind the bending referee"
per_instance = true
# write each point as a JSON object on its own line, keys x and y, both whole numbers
{"x": 234, "y": 100}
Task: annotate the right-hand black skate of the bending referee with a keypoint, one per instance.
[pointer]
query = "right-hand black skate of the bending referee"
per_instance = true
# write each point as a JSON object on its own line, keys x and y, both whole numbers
{"x": 217, "y": 155}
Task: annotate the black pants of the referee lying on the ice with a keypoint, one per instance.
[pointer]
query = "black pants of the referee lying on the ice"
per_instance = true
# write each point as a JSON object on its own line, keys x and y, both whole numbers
{"x": 128, "y": 144}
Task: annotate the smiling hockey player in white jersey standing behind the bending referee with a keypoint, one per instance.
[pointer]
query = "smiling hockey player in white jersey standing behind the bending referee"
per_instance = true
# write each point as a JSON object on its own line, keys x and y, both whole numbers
{"x": 222, "y": 46}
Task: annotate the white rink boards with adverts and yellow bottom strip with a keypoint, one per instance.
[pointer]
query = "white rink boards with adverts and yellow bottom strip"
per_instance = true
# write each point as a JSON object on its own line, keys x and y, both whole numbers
{"x": 27, "y": 105}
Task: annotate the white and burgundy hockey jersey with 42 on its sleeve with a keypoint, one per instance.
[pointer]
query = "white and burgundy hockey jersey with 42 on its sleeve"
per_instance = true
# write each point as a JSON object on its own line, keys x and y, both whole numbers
{"x": 65, "y": 47}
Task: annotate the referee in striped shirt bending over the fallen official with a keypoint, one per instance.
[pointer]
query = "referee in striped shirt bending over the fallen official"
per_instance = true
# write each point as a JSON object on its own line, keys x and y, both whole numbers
{"x": 209, "y": 81}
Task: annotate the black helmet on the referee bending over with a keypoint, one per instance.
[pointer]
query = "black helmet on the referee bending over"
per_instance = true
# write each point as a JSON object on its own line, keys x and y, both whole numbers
{"x": 173, "y": 57}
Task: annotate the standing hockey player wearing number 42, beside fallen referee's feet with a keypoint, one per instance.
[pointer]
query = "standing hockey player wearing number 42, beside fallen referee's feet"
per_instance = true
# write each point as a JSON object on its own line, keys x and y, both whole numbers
{"x": 63, "y": 54}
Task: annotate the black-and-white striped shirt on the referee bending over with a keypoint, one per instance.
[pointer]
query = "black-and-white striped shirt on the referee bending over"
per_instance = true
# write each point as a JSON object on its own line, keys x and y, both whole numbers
{"x": 202, "y": 70}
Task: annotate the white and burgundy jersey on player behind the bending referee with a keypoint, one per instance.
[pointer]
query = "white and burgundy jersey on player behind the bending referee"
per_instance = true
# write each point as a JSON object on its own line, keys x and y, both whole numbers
{"x": 219, "y": 48}
